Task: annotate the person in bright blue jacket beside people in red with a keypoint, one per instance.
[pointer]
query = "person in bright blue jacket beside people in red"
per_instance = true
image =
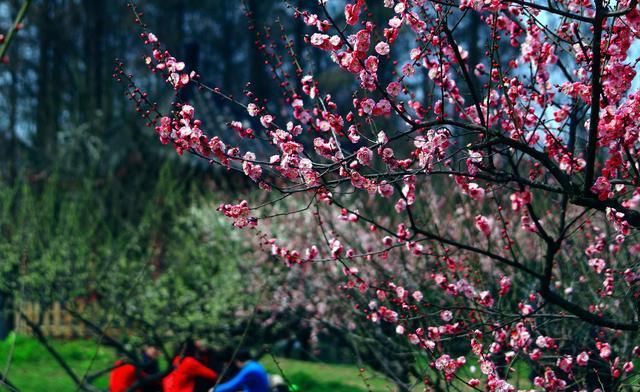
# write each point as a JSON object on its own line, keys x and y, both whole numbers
{"x": 251, "y": 378}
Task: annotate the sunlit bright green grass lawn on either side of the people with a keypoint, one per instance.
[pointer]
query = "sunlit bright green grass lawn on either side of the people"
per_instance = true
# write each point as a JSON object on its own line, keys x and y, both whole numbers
{"x": 32, "y": 368}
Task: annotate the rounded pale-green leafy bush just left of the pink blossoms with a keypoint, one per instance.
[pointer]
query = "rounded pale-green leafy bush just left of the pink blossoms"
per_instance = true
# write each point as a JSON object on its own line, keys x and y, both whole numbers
{"x": 197, "y": 281}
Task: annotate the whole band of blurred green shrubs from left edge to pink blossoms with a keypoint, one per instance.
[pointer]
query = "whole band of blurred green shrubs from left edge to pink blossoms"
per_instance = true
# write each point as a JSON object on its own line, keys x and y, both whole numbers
{"x": 154, "y": 259}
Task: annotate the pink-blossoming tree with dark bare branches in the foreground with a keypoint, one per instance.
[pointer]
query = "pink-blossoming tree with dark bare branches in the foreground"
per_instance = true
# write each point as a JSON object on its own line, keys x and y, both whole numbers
{"x": 498, "y": 197}
